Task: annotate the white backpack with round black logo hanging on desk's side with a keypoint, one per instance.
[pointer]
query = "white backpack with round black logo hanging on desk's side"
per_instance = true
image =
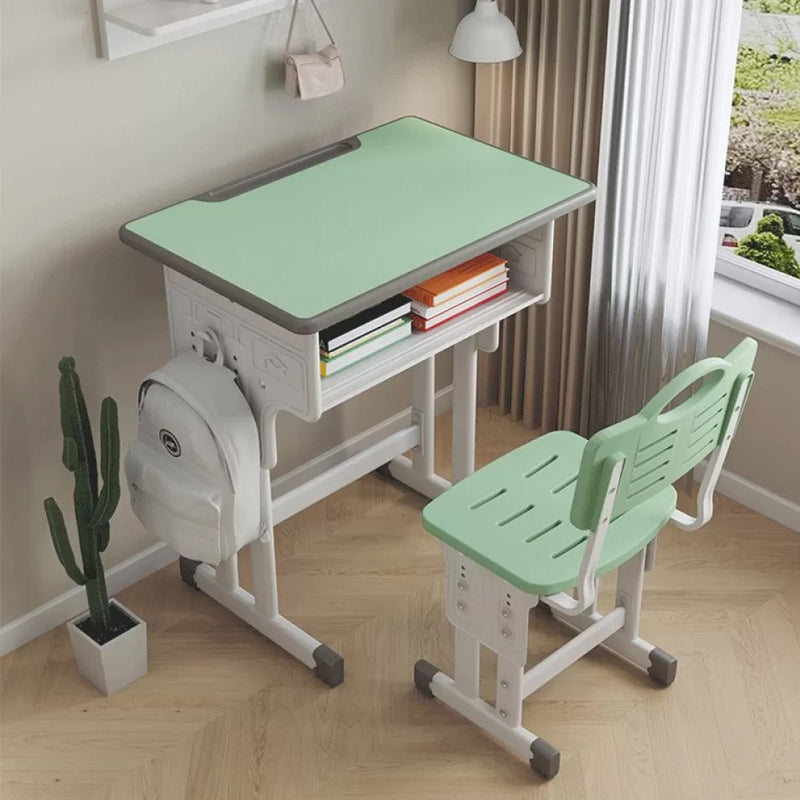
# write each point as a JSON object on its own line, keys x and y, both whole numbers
{"x": 193, "y": 472}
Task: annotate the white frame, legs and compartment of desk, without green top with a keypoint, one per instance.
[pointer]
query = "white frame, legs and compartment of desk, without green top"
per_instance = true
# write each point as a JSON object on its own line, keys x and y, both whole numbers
{"x": 279, "y": 371}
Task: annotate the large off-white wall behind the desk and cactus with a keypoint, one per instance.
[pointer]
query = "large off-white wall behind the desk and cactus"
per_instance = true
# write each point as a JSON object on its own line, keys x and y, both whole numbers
{"x": 89, "y": 144}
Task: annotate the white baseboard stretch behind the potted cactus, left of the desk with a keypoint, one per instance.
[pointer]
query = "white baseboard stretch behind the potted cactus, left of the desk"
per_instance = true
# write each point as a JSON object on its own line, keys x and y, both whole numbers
{"x": 68, "y": 605}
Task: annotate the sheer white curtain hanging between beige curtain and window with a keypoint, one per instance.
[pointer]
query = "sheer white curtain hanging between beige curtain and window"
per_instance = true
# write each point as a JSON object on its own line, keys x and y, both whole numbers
{"x": 669, "y": 83}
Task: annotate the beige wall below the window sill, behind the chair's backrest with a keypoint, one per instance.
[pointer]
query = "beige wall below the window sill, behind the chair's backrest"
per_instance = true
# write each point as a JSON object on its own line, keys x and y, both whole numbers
{"x": 766, "y": 449}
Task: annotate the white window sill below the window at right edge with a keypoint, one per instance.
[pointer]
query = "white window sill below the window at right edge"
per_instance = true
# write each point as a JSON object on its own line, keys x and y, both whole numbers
{"x": 756, "y": 313}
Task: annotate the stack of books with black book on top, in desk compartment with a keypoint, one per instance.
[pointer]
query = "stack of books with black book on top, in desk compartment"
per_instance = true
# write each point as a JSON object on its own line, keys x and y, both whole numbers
{"x": 363, "y": 334}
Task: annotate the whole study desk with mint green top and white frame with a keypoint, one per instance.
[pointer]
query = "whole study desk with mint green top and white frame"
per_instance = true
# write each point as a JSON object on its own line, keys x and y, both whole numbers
{"x": 258, "y": 267}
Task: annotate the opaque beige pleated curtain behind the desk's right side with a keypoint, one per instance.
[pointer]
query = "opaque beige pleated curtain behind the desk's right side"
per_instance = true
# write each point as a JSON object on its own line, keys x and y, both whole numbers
{"x": 546, "y": 105}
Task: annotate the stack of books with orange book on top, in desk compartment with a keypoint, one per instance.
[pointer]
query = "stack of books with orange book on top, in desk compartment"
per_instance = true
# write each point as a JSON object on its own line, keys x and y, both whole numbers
{"x": 459, "y": 289}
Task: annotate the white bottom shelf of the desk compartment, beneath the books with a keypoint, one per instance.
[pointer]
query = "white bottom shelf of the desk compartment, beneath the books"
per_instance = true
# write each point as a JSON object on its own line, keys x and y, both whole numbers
{"x": 355, "y": 379}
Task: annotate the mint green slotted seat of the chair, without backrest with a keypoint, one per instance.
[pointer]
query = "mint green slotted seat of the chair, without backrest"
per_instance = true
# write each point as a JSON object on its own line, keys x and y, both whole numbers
{"x": 513, "y": 517}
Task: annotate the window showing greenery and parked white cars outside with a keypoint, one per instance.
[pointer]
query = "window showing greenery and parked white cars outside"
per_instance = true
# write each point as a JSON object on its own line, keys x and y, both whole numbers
{"x": 760, "y": 221}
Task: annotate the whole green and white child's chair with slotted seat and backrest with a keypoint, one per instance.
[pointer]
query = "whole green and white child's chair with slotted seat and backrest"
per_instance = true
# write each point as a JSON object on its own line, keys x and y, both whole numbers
{"x": 549, "y": 518}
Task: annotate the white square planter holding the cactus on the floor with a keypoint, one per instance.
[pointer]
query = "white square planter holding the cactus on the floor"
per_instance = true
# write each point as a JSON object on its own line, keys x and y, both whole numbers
{"x": 115, "y": 664}
